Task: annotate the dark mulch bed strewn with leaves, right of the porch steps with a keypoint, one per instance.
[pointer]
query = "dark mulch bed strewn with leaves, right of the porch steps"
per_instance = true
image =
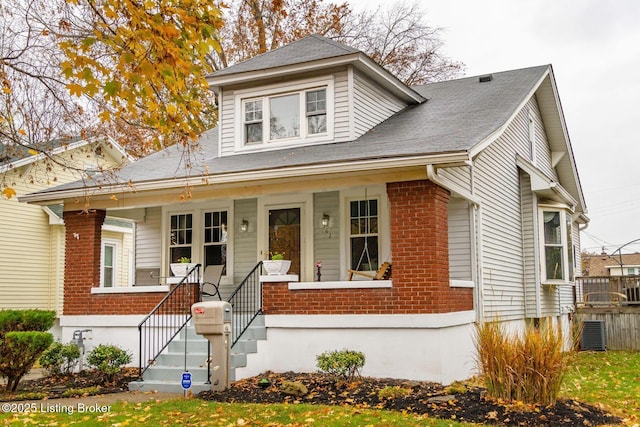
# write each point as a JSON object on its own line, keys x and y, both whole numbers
{"x": 434, "y": 400}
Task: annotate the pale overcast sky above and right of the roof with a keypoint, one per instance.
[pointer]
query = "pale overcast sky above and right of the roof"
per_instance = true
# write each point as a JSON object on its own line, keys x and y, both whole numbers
{"x": 594, "y": 47}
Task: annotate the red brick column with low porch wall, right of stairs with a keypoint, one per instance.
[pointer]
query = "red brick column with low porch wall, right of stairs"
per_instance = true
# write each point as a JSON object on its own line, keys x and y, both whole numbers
{"x": 420, "y": 248}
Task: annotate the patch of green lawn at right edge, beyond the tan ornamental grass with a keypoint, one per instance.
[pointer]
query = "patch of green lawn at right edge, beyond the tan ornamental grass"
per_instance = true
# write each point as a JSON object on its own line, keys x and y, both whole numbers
{"x": 609, "y": 379}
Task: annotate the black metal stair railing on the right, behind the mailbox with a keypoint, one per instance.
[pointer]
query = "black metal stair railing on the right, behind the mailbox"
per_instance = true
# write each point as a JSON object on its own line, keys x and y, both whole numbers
{"x": 246, "y": 303}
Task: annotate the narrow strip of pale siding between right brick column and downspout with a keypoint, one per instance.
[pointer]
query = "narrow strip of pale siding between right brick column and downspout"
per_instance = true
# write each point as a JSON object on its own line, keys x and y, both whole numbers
{"x": 460, "y": 261}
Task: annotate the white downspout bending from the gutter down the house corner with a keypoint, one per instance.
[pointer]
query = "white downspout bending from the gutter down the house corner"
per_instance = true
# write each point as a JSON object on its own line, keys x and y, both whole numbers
{"x": 476, "y": 231}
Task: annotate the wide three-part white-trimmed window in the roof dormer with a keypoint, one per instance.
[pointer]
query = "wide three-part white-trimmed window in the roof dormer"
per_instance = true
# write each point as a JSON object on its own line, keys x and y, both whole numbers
{"x": 285, "y": 111}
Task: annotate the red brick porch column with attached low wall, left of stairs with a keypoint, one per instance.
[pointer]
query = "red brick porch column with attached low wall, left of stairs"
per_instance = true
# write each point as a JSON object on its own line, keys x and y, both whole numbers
{"x": 82, "y": 272}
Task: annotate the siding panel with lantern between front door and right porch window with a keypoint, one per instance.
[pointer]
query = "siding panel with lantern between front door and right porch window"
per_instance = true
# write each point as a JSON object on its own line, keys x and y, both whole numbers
{"x": 327, "y": 242}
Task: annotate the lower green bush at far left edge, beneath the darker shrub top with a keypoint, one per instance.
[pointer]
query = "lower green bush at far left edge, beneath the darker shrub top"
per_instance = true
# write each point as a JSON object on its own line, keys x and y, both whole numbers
{"x": 18, "y": 352}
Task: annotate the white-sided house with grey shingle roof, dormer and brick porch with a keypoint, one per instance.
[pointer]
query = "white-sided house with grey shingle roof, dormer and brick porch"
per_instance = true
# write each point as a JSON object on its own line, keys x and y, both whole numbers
{"x": 468, "y": 187}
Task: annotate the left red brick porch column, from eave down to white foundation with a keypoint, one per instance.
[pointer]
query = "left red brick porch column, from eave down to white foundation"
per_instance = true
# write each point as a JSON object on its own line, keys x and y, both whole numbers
{"x": 83, "y": 236}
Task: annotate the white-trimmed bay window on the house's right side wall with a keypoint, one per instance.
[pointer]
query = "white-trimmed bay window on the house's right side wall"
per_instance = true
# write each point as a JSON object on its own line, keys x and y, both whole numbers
{"x": 557, "y": 247}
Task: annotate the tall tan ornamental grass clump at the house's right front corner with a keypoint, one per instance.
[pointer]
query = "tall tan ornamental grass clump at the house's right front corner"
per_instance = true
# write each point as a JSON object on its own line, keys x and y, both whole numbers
{"x": 527, "y": 367}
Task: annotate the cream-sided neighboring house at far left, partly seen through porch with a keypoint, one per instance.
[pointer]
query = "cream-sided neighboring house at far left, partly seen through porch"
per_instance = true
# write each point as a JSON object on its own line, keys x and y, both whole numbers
{"x": 32, "y": 242}
